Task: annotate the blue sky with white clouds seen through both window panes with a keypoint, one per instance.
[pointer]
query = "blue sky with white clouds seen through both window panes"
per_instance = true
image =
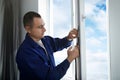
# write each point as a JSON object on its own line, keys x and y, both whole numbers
{"x": 95, "y": 34}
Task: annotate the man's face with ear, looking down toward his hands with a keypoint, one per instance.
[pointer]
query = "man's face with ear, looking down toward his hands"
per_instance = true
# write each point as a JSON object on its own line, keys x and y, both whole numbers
{"x": 38, "y": 29}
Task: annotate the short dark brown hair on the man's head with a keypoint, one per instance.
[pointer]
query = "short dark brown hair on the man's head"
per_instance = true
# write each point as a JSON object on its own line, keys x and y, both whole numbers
{"x": 28, "y": 18}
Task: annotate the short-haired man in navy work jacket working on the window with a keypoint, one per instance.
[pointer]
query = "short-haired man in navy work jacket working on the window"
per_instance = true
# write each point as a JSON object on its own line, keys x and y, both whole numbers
{"x": 35, "y": 55}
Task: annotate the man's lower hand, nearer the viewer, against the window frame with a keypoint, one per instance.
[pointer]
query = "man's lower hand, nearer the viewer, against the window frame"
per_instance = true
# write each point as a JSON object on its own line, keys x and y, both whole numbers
{"x": 72, "y": 53}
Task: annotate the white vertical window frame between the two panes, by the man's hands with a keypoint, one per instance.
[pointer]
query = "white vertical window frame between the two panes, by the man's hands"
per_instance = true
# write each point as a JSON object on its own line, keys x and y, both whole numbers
{"x": 78, "y": 10}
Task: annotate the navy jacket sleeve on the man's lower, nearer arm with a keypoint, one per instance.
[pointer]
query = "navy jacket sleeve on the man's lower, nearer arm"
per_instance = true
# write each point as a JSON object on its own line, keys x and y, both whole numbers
{"x": 32, "y": 65}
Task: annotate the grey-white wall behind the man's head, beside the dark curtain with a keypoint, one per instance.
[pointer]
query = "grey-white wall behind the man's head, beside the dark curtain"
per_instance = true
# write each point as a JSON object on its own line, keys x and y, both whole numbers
{"x": 25, "y": 6}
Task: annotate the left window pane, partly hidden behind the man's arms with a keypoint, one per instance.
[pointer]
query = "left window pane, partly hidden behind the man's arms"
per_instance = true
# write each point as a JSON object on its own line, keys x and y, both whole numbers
{"x": 61, "y": 26}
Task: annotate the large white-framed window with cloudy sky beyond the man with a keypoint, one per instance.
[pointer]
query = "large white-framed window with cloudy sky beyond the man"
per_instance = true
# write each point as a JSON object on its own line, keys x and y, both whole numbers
{"x": 61, "y": 15}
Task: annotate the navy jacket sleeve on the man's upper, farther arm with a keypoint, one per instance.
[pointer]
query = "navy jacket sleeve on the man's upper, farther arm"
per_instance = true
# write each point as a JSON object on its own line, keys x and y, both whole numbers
{"x": 58, "y": 44}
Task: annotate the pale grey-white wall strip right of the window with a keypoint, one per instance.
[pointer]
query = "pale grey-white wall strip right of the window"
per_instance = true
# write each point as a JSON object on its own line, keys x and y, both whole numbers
{"x": 114, "y": 27}
